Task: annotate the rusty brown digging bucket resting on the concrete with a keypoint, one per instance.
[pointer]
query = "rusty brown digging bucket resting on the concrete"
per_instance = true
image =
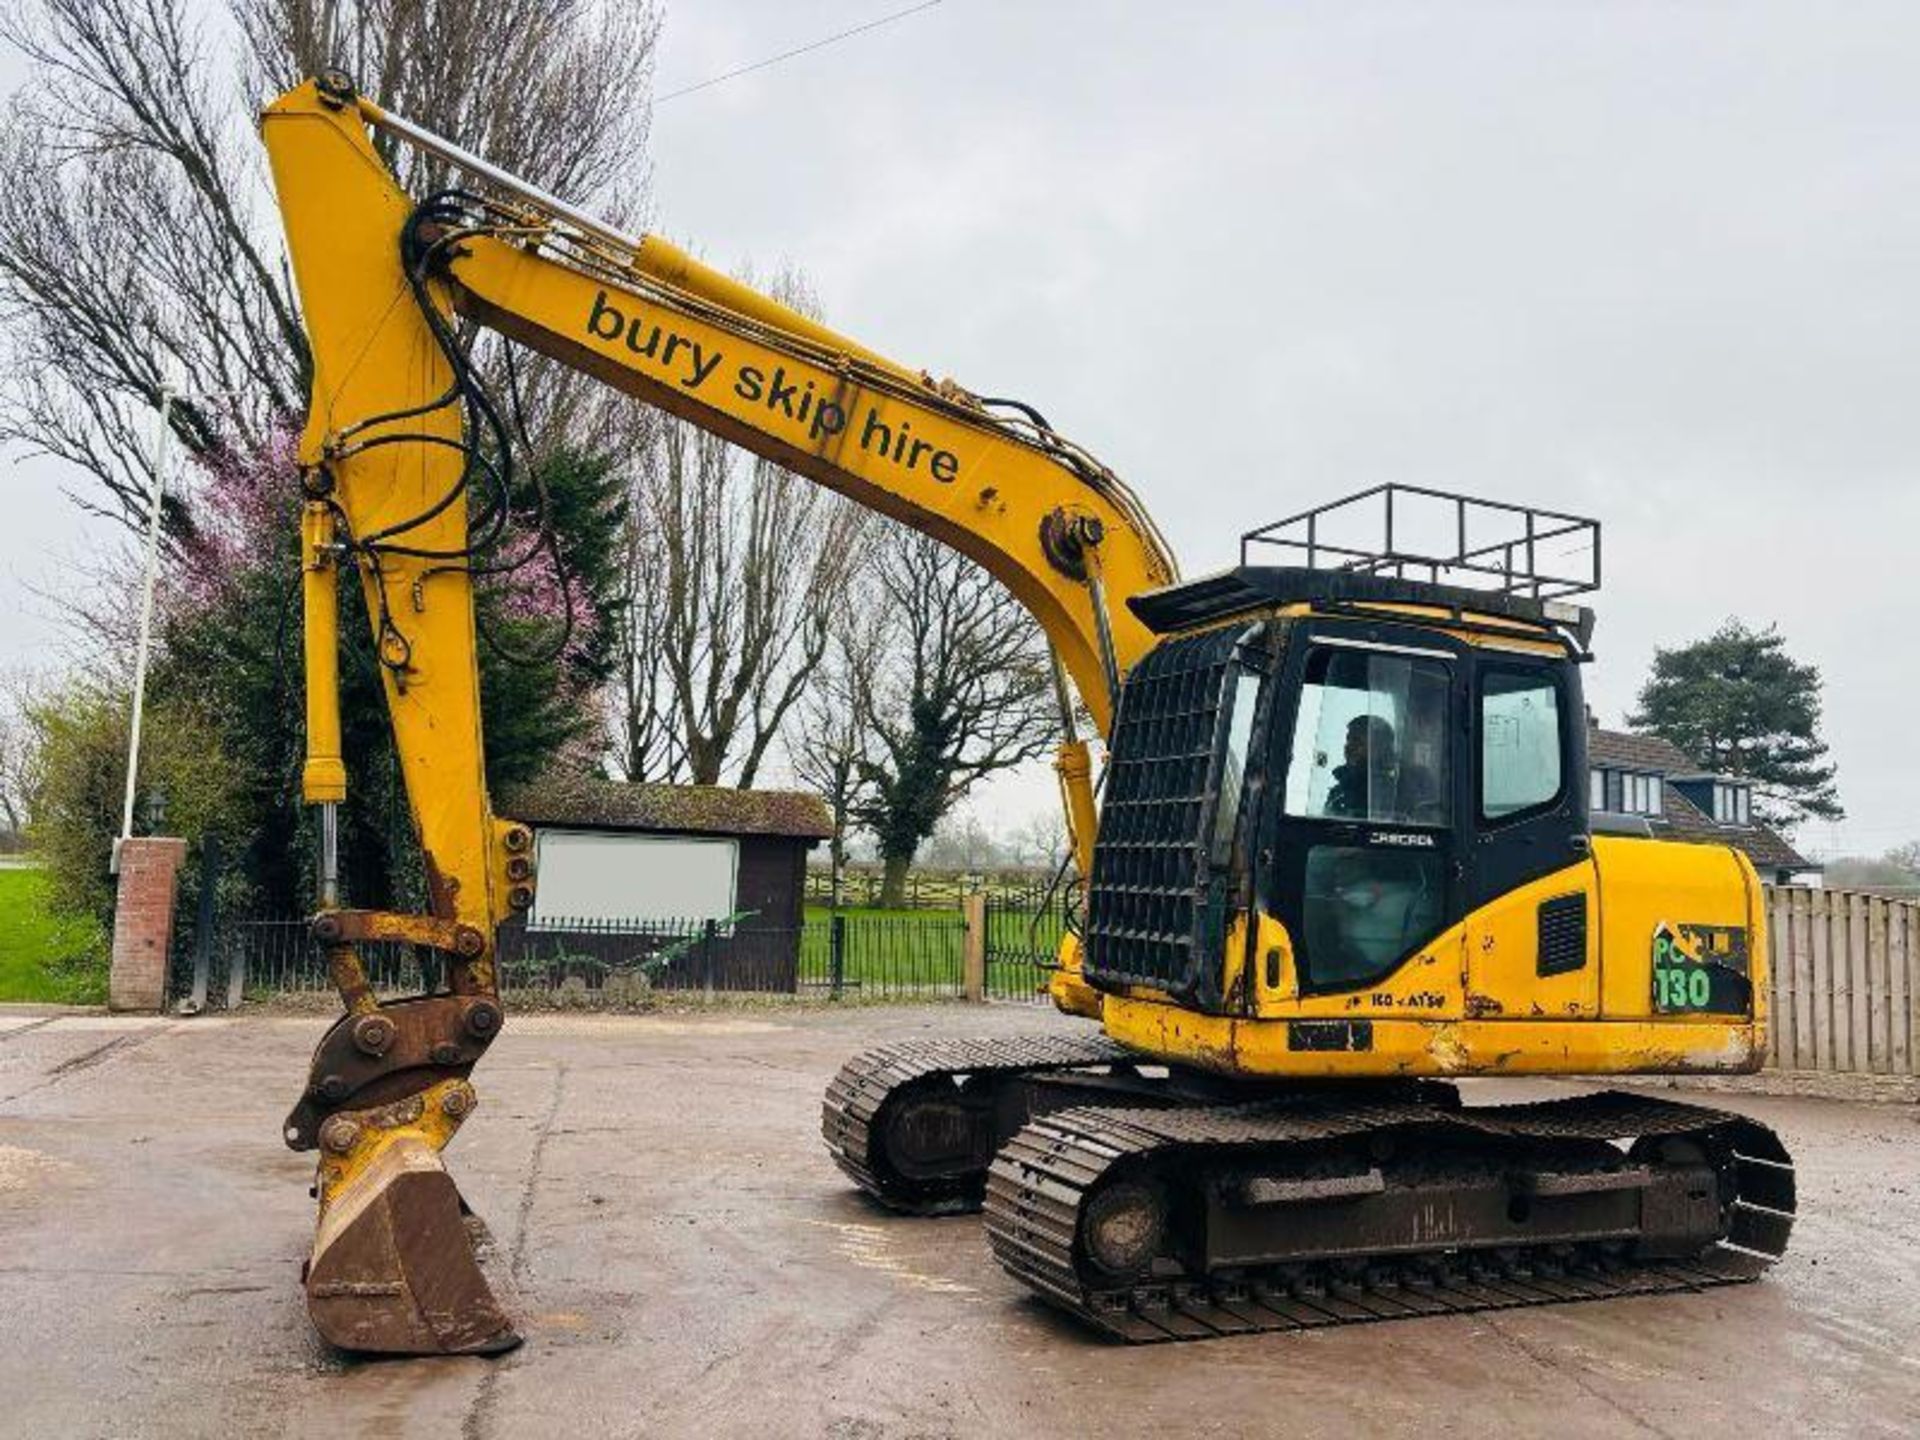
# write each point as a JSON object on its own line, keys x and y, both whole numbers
{"x": 395, "y": 1268}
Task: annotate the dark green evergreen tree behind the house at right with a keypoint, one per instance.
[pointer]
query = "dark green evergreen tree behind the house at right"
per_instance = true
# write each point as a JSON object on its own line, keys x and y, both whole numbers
{"x": 1739, "y": 706}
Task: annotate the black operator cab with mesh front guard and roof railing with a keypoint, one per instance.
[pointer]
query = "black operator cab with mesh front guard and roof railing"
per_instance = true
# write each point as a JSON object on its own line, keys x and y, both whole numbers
{"x": 1364, "y": 756}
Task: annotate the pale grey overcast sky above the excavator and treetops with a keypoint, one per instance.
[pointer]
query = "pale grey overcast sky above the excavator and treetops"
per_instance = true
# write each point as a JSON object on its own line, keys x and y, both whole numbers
{"x": 1658, "y": 264}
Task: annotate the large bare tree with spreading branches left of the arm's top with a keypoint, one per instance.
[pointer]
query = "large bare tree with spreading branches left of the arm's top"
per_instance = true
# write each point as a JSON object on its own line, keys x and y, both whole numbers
{"x": 128, "y": 249}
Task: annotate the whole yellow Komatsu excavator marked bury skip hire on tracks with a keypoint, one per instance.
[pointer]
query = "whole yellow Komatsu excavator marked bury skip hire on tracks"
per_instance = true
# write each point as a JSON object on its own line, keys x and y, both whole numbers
{"x": 1343, "y": 855}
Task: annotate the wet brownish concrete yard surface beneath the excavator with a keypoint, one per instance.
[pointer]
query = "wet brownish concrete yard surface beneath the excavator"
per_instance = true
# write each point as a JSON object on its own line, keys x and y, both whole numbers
{"x": 690, "y": 1264}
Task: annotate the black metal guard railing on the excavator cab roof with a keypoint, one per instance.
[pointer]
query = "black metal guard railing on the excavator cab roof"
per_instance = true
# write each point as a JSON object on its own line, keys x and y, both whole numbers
{"x": 1414, "y": 533}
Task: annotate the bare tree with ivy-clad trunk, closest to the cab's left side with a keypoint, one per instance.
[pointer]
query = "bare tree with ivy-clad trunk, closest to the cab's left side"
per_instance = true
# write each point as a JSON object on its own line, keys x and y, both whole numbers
{"x": 967, "y": 692}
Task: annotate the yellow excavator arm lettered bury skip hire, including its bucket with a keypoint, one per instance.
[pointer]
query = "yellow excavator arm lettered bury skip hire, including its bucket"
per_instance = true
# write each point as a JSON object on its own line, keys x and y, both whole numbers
{"x": 404, "y": 487}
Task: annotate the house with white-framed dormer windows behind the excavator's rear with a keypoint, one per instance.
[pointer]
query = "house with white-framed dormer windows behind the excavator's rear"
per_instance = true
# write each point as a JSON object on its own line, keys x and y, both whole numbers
{"x": 1644, "y": 784}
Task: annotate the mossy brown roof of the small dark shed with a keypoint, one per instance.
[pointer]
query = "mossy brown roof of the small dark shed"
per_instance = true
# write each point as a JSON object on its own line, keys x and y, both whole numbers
{"x": 571, "y": 800}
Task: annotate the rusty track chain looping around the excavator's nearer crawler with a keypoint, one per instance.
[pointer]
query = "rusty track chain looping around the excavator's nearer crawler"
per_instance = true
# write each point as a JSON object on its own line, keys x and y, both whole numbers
{"x": 1042, "y": 1178}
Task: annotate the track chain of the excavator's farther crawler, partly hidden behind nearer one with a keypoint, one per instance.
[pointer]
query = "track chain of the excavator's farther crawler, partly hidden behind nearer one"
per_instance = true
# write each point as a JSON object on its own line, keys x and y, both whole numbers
{"x": 863, "y": 1086}
